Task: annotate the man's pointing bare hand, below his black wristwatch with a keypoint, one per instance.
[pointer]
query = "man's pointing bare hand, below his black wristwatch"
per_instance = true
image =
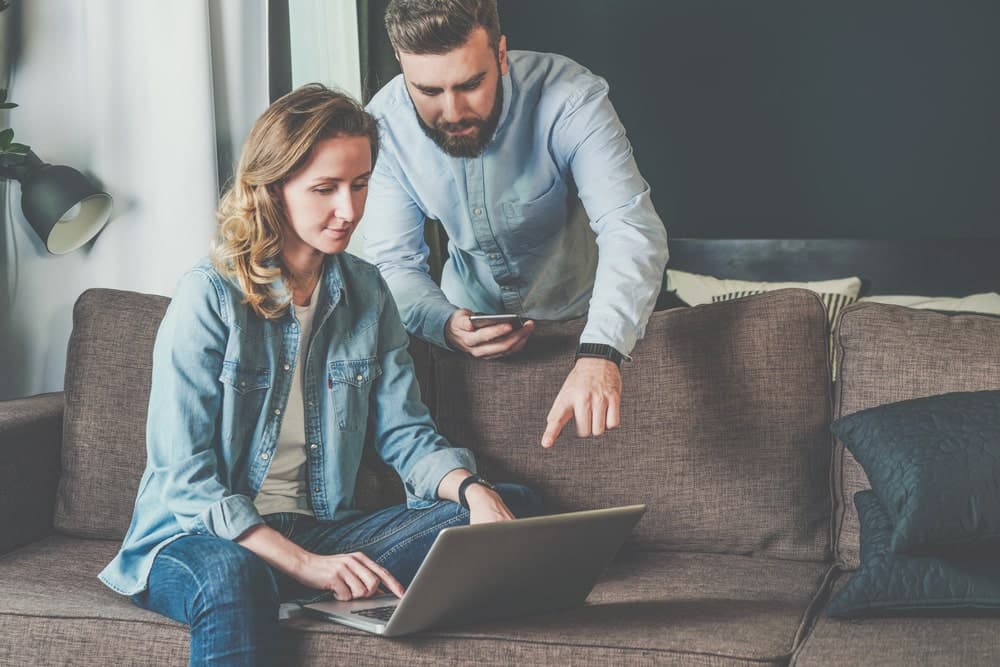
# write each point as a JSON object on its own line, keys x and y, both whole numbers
{"x": 591, "y": 395}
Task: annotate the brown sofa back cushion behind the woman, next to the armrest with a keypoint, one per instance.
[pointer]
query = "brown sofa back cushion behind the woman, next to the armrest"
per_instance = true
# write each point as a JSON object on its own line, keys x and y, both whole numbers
{"x": 108, "y": 375}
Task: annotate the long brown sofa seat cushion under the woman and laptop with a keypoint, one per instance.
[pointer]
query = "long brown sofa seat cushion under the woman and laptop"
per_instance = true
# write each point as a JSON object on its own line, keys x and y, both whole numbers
{"x": 649, "y": 608}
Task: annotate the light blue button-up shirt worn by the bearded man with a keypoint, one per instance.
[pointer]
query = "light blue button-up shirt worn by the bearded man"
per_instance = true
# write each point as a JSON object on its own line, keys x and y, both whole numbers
{"x": 517, "y": 215}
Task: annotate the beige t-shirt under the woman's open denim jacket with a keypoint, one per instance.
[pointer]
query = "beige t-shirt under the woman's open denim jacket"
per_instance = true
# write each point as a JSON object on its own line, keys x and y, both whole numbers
{"x": 286, "y": 489}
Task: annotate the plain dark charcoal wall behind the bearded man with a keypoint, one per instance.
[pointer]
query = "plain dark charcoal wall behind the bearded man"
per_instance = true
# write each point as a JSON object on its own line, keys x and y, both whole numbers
{"x": 794, "y": 118}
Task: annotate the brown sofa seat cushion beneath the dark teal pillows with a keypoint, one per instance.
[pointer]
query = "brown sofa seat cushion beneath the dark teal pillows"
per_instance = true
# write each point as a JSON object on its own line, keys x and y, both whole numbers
{"x": 901, "y": 641}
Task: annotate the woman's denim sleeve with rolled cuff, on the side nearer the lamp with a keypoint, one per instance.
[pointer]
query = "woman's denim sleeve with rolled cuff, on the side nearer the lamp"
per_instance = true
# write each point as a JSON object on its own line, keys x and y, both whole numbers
{"x": 184, "y": 405}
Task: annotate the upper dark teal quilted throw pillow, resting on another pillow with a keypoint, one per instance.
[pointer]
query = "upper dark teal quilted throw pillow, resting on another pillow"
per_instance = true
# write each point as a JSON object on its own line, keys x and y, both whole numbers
{"x": 935, "y": 464}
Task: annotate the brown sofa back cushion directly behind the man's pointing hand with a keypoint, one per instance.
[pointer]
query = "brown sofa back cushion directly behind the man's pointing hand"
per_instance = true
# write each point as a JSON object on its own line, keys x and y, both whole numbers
{"x": 725, "y": 426}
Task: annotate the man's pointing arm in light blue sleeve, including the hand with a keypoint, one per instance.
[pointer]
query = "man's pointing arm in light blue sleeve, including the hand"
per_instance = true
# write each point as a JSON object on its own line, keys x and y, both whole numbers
{"x": 632, "y": 255}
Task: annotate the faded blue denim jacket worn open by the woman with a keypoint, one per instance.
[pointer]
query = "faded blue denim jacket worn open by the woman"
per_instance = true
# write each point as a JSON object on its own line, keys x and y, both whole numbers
{"x": 221, "y": 377}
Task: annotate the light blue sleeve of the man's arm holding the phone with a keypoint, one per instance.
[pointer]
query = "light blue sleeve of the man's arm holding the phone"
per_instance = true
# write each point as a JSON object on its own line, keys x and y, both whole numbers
{"x": 393, "y": 229}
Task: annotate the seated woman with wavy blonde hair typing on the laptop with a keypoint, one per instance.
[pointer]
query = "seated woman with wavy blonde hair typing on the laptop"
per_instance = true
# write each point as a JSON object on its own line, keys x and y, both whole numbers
{"x": 273, "y": 361}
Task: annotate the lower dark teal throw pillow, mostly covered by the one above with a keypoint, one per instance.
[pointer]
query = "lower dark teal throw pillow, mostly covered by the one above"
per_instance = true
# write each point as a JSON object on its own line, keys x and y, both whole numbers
{"x": 891, "y": 583}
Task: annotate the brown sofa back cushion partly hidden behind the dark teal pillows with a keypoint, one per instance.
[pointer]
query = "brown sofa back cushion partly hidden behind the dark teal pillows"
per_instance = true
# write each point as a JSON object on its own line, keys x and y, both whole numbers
{"x": 891, "y": 353}
